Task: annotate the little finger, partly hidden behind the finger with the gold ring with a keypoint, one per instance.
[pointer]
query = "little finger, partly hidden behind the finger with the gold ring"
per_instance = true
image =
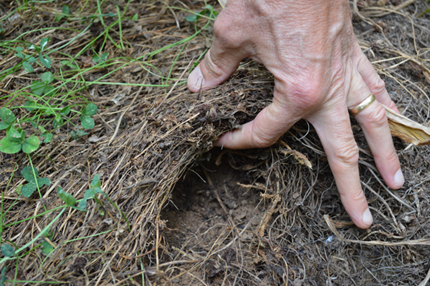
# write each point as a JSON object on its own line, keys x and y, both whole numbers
{"x": 372, "y": 79}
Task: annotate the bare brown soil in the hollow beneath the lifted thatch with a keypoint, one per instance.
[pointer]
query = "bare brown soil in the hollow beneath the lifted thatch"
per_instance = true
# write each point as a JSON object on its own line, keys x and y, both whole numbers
{"x": 208, "y": 207}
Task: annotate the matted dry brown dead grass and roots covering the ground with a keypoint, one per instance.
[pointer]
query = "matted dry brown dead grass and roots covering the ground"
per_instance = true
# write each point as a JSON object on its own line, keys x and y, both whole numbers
{"x": 143, "y": 144}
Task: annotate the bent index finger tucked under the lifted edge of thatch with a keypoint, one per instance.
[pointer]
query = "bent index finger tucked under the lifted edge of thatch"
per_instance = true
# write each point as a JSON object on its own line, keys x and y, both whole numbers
{"x": 263, "y": 131}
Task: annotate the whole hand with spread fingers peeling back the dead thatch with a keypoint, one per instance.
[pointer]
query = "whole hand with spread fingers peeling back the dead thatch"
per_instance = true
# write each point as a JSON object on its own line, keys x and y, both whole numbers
{"x": 320, "y": 71}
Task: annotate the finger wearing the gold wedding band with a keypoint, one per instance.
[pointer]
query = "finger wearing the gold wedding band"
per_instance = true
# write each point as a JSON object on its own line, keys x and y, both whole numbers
{"x": 377, "y": 131}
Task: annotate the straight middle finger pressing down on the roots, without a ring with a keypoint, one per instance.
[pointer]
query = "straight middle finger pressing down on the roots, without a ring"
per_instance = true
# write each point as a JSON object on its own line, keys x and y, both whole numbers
{"x": 334, "y": 129}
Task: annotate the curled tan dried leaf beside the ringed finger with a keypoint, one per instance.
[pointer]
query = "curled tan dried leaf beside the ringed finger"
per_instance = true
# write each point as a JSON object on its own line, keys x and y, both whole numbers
{"x": 407, "y": 129}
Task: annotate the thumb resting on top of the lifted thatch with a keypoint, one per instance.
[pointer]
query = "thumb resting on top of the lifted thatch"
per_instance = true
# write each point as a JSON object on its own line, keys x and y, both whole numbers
{"x": 217, "y": 66}
